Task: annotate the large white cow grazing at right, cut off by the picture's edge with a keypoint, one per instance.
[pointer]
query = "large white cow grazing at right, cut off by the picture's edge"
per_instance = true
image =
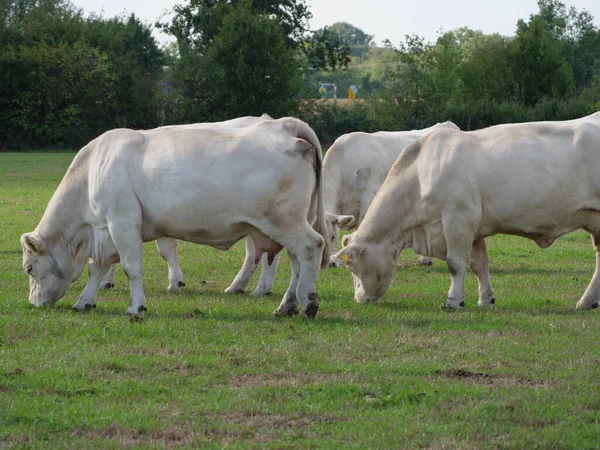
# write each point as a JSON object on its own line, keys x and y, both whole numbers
{"x": 450, "y": 190}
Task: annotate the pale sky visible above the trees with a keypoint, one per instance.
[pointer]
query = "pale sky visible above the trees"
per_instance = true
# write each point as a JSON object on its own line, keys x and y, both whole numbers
{"x": 385, "y": 19}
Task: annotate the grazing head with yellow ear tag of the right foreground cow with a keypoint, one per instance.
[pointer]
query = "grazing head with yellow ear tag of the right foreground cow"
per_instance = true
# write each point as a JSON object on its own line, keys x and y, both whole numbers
{"x": 372, "y": 266}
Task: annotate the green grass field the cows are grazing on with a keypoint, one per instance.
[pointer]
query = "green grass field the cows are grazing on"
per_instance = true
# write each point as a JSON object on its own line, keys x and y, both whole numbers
{"x": 210, "y": 370}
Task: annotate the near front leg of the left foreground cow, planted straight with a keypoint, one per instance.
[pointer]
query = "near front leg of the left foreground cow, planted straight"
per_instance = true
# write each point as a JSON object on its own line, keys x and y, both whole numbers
{"x": 128, "y": 243}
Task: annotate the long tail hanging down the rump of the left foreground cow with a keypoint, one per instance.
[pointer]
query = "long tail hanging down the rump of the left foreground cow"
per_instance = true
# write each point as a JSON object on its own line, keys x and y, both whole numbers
{"x": 317, "y": 206}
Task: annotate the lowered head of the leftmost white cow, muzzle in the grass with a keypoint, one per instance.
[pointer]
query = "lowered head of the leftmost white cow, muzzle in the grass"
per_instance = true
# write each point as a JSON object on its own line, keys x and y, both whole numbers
{"x": 50, "y": 269}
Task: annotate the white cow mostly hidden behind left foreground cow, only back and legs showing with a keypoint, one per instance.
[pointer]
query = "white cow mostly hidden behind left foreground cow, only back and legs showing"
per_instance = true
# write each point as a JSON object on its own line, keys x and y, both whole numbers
{"x": 167, "y": 247}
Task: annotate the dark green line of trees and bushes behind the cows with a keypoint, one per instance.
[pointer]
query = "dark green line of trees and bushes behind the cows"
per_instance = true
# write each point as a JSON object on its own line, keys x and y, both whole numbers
{"x": 66, "y": 78}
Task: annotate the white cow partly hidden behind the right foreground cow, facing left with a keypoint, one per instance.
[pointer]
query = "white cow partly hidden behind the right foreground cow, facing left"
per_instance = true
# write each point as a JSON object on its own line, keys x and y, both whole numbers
{"x": 354, "y": 169}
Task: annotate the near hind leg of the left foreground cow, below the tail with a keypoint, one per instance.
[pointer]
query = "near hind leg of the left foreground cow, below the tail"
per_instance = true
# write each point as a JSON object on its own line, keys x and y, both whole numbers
{"x": 307, "y": 246}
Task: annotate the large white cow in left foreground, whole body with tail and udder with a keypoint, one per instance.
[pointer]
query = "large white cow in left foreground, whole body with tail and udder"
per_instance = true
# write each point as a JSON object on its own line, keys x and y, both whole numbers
{"x": 209, "y": 185}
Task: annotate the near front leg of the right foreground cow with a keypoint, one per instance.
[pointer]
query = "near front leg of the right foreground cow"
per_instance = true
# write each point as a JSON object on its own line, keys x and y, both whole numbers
{"x": 459, "y": 243}
